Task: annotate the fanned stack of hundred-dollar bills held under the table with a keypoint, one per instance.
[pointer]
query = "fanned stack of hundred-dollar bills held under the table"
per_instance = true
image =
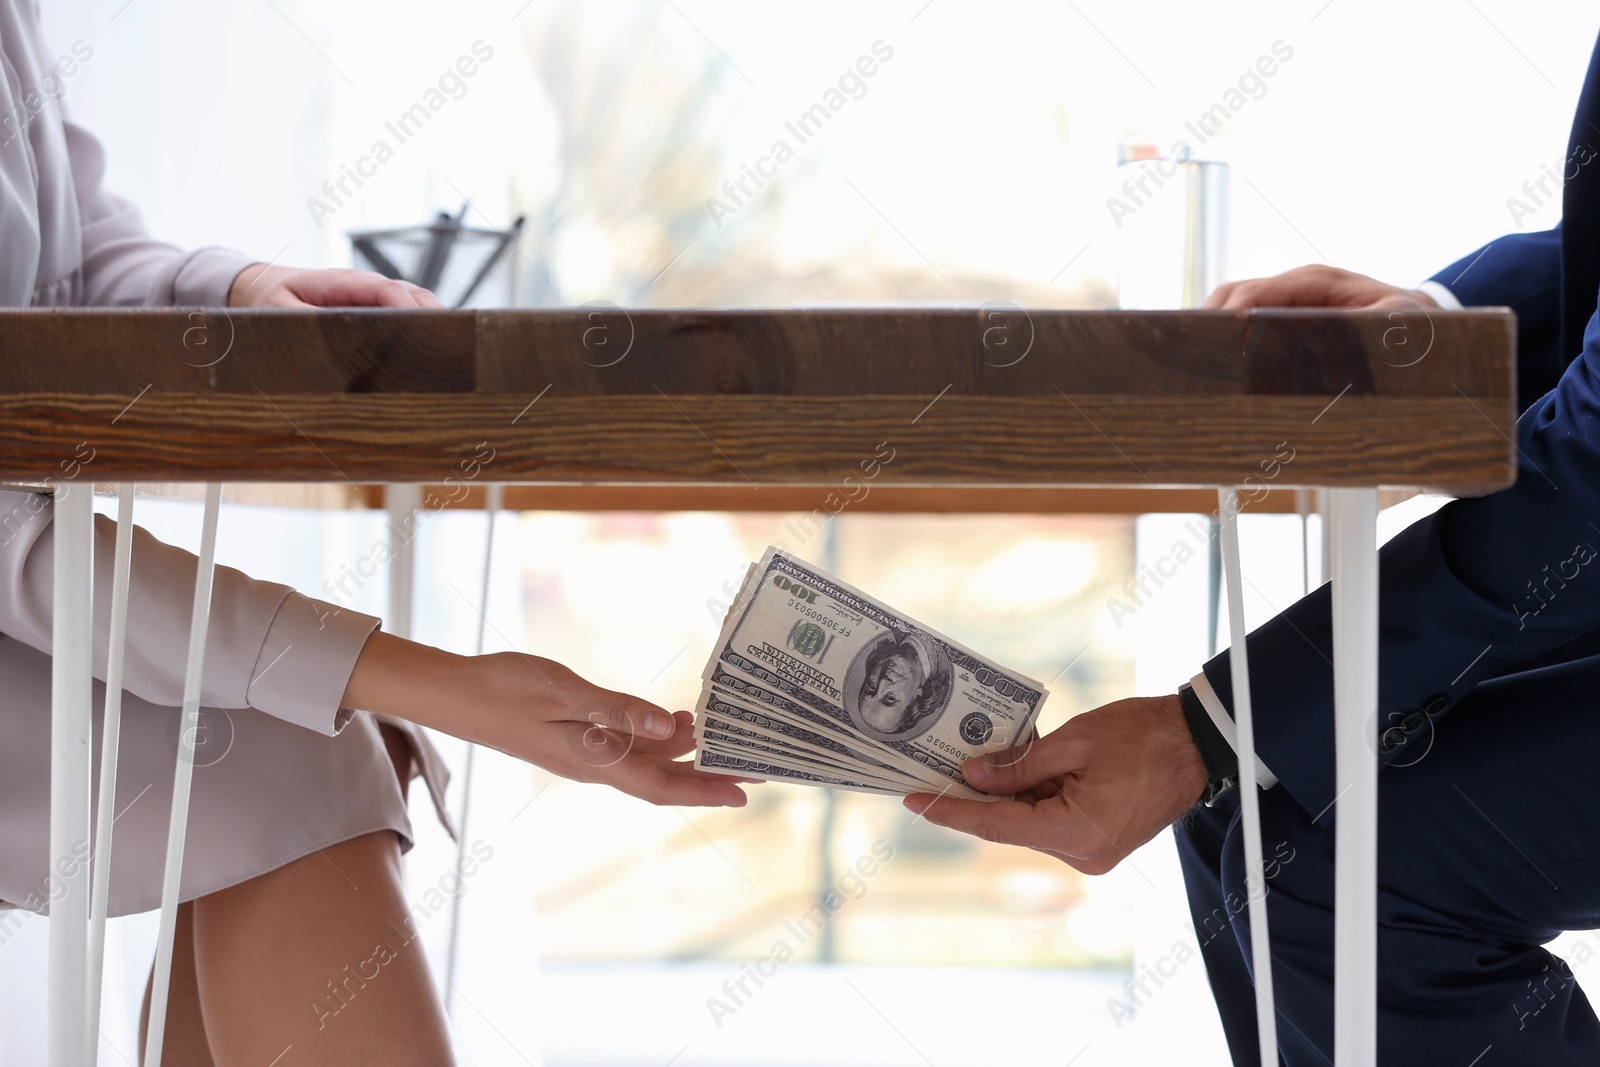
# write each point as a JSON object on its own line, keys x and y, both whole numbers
{"x": 817, "y": 682}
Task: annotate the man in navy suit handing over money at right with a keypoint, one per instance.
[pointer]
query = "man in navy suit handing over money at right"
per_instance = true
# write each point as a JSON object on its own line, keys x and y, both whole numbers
{"x": 1489, "y": 719}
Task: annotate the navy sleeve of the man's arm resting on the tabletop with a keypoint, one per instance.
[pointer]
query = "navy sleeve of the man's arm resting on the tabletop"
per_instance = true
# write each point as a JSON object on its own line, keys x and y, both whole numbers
{"x": 1522, "y": 273}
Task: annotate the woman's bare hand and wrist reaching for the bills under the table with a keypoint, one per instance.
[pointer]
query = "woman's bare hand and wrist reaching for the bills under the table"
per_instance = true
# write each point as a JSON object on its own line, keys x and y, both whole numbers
{"x": 538, "y": 711}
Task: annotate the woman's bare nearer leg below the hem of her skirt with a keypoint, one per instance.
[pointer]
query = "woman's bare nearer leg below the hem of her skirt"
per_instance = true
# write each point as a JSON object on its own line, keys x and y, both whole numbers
{"x": 316, "y": 964}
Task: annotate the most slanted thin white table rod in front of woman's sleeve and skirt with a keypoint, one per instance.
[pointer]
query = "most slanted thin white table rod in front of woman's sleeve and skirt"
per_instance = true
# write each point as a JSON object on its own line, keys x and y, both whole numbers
{"x": 183, "y": 777}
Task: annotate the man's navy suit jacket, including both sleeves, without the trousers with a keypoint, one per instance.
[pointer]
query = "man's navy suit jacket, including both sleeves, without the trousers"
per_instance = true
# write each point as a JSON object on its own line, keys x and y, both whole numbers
{"x": 1486, "y": 586}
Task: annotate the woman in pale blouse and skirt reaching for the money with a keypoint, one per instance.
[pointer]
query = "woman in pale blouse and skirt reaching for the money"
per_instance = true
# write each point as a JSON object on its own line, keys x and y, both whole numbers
{"x": 292, "y": 874}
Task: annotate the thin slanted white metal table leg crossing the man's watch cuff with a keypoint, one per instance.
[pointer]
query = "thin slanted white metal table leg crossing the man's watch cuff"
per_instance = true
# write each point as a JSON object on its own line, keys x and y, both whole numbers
{"x": 1249, "y": 781}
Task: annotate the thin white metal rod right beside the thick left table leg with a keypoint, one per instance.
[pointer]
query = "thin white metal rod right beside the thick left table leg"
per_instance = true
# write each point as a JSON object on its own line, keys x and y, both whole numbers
{"x": 111, "y": 735}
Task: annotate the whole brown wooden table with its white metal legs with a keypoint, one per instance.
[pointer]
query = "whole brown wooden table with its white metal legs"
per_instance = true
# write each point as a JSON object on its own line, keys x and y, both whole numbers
{"x": 807, "y": 410}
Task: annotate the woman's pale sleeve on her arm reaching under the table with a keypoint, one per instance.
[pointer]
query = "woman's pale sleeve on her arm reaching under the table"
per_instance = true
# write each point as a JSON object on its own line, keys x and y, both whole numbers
{"x": 266, "y": 647}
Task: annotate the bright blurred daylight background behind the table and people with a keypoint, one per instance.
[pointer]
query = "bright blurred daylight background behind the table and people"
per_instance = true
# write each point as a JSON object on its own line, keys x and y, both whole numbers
{"x": 975, "y": 167}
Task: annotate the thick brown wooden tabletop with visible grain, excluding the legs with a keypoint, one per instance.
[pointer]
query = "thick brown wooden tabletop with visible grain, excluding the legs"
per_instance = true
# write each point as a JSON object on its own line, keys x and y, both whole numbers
{"x": 964, "y": 399}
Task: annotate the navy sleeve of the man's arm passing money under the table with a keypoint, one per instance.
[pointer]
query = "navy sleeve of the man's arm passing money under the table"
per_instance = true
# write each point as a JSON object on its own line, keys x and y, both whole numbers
{"x": 1476, "y": 588}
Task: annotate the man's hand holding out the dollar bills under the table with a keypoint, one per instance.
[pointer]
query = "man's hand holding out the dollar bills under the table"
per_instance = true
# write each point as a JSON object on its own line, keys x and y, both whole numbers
{"x": 1089, "y": 794}
